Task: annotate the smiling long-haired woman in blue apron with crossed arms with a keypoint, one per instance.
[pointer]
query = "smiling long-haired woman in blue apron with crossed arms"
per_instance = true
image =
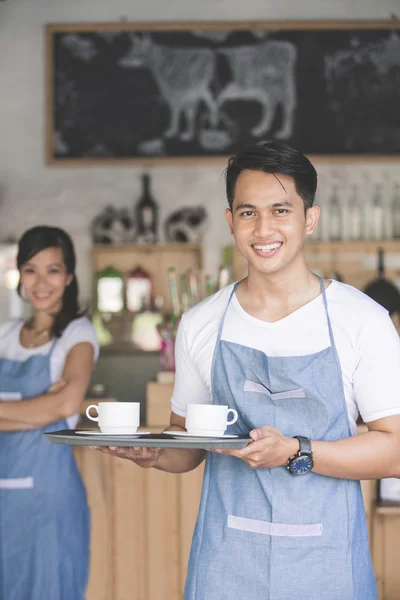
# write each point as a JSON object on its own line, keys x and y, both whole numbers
{"x": 45, "y": 368}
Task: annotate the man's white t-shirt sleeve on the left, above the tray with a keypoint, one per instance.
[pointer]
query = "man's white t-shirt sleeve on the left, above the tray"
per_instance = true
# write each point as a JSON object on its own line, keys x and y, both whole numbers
{"x": 189, "y": 388}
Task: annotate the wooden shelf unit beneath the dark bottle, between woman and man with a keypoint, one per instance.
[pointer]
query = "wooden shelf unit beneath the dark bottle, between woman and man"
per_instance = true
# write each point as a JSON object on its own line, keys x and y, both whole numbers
{"x": 156, "y": 259}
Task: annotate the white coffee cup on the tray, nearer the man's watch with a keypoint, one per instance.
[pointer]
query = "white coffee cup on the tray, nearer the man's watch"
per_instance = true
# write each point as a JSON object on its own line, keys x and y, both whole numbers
{"x": 209, "y": 419}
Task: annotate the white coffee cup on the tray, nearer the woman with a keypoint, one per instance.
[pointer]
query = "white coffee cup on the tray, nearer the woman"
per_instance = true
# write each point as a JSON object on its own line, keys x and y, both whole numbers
{"x": 116, "y": 417}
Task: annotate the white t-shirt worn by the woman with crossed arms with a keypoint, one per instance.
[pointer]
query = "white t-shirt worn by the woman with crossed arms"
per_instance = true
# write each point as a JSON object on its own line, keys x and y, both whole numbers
{"x": 77, "y": 331}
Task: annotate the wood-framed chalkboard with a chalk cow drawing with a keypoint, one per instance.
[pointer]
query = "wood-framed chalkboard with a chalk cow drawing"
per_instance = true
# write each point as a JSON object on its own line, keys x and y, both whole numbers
{"x": 119, "y": 92}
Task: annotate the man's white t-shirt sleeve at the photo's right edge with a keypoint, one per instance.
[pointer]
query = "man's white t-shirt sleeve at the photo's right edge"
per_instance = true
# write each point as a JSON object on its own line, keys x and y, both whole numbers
{"x": 377, "y": 373}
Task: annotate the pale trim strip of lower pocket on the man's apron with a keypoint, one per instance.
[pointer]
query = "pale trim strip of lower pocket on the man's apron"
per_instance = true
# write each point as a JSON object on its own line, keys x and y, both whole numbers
{"x": 278, "y": 529}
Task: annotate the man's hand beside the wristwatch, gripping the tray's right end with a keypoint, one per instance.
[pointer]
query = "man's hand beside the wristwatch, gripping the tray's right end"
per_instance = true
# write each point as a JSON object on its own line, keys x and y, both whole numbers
{"x": 269, "y": 449}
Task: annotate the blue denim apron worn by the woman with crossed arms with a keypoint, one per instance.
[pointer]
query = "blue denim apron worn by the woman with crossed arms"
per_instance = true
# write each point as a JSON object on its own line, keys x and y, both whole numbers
{"x": 44, "y": 516}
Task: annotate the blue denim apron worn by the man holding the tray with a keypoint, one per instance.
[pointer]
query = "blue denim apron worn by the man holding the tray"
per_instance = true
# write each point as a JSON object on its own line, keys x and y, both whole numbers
{"x": 263, "y": 534}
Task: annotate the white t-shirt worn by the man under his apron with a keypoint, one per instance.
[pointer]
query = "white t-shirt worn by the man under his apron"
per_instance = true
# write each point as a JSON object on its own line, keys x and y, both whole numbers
{"x": 366, "y": 340}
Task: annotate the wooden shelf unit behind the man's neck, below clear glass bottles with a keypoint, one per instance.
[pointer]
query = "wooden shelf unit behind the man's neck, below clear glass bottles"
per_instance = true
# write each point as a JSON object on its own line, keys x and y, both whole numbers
{"x": 356, "y": 262}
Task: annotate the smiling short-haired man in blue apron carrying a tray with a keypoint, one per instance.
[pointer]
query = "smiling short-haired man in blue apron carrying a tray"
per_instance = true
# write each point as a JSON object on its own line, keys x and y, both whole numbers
{"x": 283, "y": 518}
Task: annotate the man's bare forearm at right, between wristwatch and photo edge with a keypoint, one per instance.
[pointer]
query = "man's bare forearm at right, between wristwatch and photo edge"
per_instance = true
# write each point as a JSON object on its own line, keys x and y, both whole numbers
{"x": 371, "y": 455}
